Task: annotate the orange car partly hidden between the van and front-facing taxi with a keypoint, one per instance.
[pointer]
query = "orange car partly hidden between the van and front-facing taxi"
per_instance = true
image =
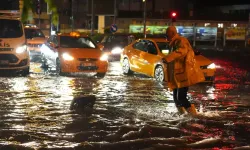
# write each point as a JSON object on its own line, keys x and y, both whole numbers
{"x": 35, "y": 39}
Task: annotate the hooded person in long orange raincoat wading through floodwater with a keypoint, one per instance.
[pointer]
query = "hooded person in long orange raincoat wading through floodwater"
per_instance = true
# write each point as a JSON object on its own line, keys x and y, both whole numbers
{"x": 182, "y": 70}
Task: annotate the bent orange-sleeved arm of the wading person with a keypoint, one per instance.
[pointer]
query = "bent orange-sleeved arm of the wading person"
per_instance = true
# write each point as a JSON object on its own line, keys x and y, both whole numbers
{"x": 179, "y": 52}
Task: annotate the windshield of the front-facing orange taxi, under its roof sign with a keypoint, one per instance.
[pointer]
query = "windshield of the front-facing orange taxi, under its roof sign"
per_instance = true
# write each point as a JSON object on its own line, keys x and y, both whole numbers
{"x": 76, "y": 42}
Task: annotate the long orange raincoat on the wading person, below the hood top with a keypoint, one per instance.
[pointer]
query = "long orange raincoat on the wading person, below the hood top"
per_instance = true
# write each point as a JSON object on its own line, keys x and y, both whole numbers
{"x": 182, "y": 69}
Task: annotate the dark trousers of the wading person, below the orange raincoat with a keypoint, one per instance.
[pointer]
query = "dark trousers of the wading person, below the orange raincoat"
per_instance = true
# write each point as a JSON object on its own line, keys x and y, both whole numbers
{"x": 180, "y": 97}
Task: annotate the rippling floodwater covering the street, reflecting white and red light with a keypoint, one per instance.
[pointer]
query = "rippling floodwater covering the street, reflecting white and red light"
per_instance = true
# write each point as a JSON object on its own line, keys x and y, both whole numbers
{"x": 128, "y": 113}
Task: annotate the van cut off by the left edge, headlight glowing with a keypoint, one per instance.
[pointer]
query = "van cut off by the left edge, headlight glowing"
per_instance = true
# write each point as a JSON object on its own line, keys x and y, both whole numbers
{"x": 14, "y": 54}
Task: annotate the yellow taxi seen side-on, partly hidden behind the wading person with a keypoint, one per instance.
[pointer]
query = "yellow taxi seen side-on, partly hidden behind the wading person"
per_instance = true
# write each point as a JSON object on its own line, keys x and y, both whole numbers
{"x": 145, "y": 56}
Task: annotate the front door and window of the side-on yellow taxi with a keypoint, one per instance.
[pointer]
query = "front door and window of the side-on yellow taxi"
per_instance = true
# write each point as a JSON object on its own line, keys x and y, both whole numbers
{"x": 149, "y": 57}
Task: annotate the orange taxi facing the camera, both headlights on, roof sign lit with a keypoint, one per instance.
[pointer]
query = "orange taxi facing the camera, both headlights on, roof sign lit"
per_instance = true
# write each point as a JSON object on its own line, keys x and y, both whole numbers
{"x": 73, "y": 53}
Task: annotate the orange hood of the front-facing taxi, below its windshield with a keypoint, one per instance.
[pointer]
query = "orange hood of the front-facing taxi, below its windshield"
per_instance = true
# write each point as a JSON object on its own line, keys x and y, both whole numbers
{"x": 82, "y": 52}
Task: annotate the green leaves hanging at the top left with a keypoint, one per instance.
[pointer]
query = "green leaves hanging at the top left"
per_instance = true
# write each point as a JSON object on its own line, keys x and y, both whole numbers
{"x": 30, "y": 5}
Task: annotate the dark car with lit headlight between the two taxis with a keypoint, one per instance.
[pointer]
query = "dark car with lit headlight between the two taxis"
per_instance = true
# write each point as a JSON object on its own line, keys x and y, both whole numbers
{"x": 114, "y": 43}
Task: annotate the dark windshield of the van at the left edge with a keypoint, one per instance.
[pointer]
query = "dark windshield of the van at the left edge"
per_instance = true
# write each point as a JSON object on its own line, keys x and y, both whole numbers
{"x": 10, "y": 28}
